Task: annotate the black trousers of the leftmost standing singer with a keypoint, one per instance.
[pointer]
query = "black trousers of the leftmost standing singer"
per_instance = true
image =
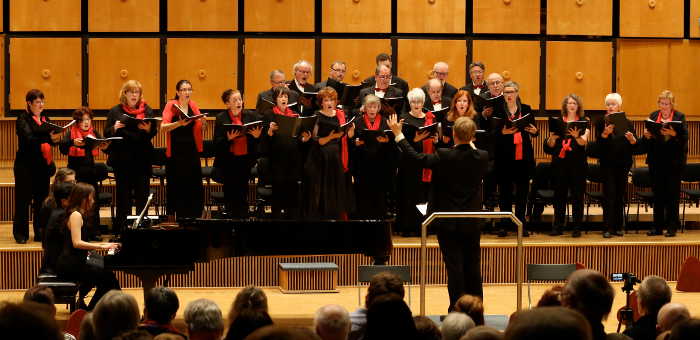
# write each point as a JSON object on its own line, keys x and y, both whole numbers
{"x": 31, "y": 189}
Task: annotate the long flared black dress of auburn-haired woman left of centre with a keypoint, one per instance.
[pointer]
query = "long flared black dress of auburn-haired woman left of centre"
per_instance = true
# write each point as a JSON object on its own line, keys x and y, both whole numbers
{"x": 329, "y": 183}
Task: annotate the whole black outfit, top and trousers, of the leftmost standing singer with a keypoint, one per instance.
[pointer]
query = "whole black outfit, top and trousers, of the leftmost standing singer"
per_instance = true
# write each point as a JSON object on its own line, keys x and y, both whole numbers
{"x": 32, "y": 174}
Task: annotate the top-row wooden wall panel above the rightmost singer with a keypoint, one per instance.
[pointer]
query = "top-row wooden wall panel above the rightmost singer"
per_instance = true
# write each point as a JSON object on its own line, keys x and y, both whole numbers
{"x": 651, "y": 18}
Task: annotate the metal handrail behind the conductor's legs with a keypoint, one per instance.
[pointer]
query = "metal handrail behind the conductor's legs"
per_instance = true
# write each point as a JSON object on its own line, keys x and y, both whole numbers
{"x": 471, "y": 214}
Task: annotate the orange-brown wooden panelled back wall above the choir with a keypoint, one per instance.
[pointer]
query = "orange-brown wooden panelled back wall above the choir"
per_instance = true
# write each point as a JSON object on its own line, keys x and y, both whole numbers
{"x": 79, "y": 52}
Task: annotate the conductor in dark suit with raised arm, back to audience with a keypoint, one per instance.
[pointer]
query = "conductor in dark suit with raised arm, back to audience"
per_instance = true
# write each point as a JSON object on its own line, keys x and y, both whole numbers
{"x": 456, "y": 186}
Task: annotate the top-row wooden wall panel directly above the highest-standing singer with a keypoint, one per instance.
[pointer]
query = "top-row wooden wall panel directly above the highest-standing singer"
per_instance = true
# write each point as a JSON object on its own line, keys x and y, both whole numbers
{"x": 367, "y": 16}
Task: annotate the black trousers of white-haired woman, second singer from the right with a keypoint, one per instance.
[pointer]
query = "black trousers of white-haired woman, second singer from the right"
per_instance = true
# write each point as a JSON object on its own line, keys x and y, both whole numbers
{"x": 614, "y": 190}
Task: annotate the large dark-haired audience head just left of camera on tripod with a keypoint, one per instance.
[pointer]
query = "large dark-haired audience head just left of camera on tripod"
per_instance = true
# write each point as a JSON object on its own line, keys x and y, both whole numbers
{"x": 589, "y": 292}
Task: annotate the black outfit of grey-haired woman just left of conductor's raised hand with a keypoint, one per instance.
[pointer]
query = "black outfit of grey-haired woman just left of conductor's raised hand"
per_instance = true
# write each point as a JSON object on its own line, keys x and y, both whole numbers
{"x": 374, "y": 168}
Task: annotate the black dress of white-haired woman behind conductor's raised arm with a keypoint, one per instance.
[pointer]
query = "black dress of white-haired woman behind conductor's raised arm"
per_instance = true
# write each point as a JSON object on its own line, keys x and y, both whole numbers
{"x": 411, "y": 189}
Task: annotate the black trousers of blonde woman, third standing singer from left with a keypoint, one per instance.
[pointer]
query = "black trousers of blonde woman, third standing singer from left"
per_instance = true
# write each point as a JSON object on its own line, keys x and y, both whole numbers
{"x": 132, "y": 187}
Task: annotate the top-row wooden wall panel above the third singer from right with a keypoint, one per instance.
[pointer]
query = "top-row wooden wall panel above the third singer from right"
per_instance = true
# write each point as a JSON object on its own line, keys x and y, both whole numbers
{"x": 582, "y": 17}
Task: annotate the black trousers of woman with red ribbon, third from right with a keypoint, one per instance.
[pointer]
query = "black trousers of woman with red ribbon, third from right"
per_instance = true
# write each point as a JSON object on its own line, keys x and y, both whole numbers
{"x": 569, "y": 178}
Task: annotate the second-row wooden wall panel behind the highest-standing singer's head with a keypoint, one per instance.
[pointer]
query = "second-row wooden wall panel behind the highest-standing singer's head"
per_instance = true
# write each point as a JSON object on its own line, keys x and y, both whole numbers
{"x": 358, "y": 54}
